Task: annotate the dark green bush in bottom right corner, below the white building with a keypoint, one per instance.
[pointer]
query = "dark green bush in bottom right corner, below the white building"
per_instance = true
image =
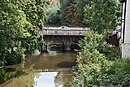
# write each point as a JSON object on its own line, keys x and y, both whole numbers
{"x": 119, "y": 73}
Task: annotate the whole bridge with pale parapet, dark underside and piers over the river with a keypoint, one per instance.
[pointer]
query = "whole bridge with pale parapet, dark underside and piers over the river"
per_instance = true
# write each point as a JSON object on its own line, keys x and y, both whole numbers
{"x": 63, "y": 35}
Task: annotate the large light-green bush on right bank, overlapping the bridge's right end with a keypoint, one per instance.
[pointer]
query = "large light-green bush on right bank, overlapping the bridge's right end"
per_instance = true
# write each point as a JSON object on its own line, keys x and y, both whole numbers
{"x": 94, "y": 67}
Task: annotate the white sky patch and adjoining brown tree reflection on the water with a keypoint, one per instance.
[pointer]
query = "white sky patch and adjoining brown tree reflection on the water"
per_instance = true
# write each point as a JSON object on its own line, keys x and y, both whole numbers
{"x": 53, "y": 79}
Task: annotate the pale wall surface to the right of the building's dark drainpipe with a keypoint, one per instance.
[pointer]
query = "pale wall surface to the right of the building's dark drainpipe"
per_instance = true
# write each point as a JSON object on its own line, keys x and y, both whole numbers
{"x": 126, "y": 44}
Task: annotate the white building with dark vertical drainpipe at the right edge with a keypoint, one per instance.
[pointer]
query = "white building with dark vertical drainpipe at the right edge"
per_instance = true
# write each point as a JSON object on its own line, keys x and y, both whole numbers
{"x": 125, "y": 45}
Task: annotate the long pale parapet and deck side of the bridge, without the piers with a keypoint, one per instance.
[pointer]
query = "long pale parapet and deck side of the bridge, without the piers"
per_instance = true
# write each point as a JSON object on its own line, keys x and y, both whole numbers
{"x": 62, "y": 31}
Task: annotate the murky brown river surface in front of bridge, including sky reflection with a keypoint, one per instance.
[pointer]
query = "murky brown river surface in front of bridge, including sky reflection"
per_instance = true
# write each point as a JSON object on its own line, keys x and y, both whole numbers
{"x": 49, "y": 70}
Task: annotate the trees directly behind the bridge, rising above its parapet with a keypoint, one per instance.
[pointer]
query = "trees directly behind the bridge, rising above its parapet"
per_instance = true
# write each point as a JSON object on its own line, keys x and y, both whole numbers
{"x": 66, "y": 12}
